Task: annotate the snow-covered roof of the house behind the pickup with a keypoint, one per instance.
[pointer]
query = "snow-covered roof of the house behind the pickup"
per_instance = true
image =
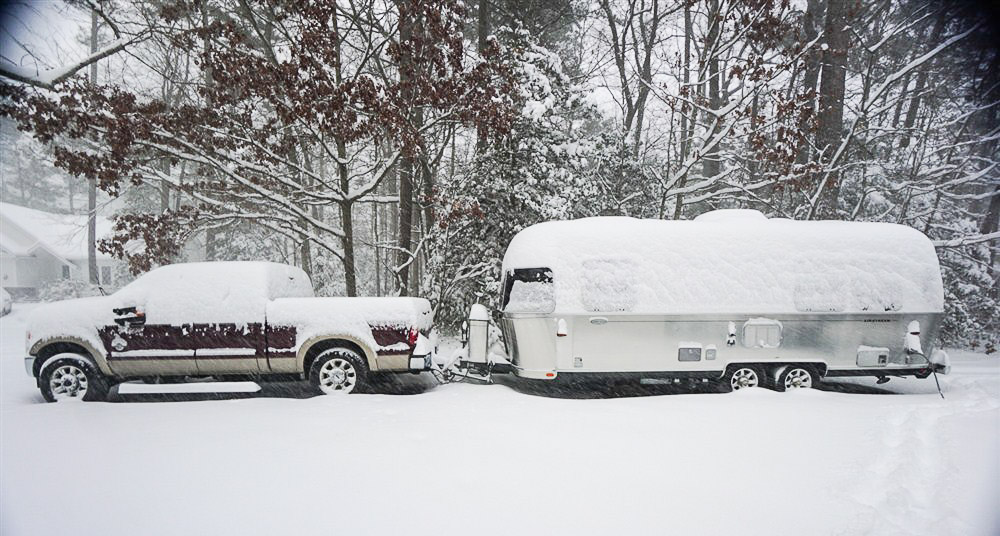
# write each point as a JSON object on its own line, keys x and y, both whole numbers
{"x": 24, "y": 230}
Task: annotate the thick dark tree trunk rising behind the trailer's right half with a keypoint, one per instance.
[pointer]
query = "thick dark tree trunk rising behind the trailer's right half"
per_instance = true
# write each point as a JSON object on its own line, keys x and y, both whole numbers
{"x": 831, "y": 100}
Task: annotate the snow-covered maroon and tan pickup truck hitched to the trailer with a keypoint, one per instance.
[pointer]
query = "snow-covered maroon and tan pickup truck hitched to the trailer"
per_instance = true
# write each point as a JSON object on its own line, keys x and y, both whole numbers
{"x": 226, "y": 320}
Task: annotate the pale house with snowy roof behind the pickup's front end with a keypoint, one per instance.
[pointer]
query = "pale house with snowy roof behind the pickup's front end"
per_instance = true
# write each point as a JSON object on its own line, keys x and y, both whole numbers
{"x": 38, "y": 247}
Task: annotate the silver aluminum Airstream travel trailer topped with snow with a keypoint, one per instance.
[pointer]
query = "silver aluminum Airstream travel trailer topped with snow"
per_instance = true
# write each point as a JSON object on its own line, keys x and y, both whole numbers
{"x": 730, "y": 296}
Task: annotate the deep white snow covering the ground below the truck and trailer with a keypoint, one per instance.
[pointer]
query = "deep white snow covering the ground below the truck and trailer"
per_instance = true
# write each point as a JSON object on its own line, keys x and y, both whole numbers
{"x": 852, "y": 458}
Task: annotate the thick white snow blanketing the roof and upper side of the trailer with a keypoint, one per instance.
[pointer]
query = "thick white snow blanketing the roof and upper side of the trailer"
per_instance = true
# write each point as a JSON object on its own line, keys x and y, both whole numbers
{"x": 731, "y": 261}
